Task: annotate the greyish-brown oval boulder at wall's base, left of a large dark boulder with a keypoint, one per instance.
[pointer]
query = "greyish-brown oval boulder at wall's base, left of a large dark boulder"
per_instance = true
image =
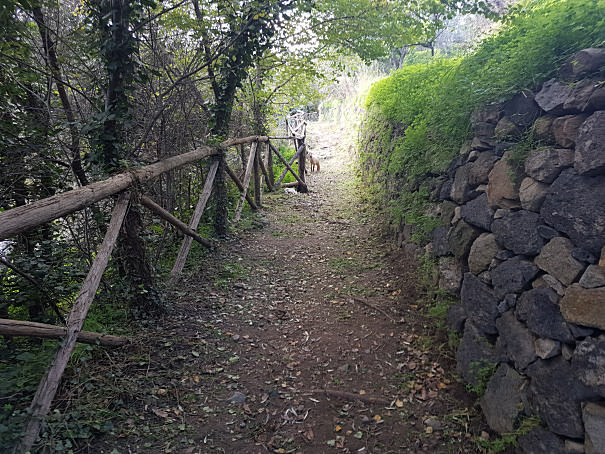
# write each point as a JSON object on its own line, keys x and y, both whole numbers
{"x": 505, "y": 400}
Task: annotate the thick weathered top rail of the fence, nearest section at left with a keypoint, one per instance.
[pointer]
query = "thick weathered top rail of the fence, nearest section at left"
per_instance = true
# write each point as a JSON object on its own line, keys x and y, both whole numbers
{"x": 22, "y": 218}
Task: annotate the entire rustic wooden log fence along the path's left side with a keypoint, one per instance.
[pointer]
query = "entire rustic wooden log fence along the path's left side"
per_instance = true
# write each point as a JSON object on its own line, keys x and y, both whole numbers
{"x": 17, "y": 220}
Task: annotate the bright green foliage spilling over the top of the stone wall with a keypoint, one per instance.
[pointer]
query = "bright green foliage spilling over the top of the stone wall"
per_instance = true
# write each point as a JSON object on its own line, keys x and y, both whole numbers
{"x": 418, "y": 118}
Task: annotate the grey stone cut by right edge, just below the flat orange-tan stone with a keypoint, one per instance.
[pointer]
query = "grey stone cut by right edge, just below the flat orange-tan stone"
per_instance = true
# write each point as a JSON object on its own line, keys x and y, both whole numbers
{"x": 588, "y": 361}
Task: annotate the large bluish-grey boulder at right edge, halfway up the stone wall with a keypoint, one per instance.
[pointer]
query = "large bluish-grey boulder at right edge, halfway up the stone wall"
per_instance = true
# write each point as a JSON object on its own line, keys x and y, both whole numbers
{"x": 575, "y": 205}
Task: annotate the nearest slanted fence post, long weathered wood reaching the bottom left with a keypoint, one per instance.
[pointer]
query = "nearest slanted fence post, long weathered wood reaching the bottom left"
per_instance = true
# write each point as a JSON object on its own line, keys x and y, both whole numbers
{"x": 50, "y": 382}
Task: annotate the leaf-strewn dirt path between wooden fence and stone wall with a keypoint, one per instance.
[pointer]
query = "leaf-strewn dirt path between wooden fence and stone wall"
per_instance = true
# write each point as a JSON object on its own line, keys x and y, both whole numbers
{"x": 303, "y": 335}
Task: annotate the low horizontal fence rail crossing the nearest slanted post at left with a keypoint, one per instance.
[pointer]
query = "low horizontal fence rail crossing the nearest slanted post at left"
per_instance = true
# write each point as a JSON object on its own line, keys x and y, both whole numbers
{"x": 33, "y": 329}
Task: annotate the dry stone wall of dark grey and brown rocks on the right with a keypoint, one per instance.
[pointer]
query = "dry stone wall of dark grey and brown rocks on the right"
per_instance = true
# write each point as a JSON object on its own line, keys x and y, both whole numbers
{"x": 523, "y": 244}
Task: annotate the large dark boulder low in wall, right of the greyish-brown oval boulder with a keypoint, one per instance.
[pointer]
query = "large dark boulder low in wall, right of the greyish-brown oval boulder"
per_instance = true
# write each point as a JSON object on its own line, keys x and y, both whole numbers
{"x": 556, "y": 395}
